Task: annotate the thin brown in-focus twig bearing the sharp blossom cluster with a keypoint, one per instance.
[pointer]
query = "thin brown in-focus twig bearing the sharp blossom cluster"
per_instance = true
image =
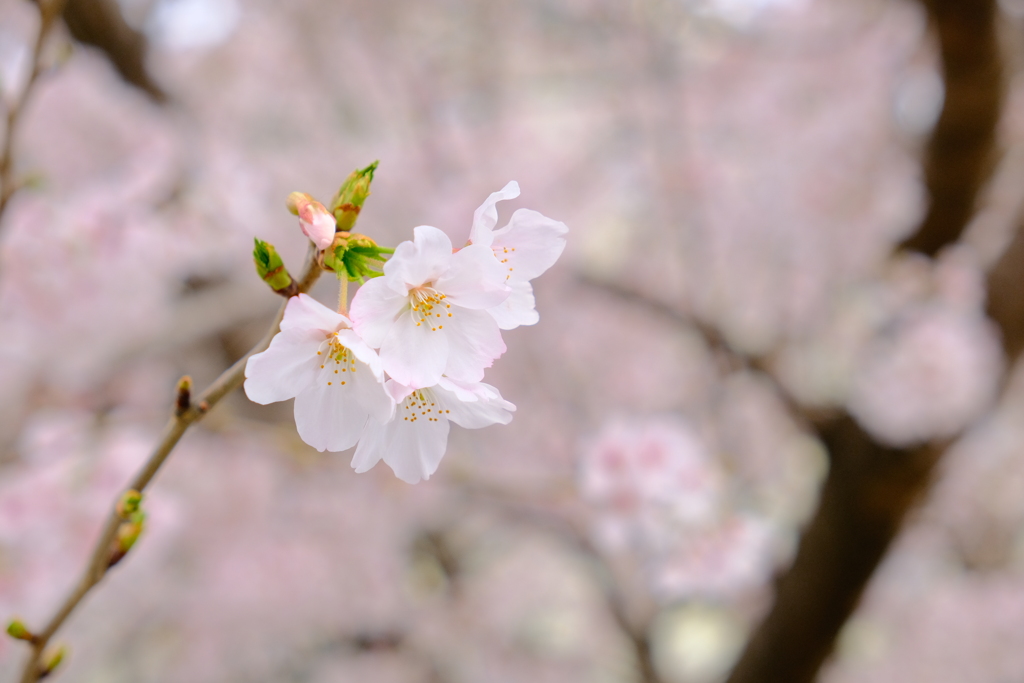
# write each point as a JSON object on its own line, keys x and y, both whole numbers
{"x": 100, "y": 561}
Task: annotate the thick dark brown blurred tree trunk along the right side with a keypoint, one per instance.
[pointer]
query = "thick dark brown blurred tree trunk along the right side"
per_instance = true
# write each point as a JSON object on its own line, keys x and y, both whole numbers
{"x": 871, "y": 488}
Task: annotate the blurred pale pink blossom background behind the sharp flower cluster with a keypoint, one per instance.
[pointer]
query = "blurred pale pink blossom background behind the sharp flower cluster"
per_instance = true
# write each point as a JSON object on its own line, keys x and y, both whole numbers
{"x": 738, "y": 177}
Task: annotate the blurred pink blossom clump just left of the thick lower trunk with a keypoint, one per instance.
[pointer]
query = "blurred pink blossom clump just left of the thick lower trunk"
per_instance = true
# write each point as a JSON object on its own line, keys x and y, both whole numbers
{"x": 658, "y": 492}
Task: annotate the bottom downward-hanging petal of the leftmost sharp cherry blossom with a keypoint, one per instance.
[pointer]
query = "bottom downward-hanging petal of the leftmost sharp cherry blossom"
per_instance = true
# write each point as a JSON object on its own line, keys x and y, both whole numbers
{"x": 330, "y": 417}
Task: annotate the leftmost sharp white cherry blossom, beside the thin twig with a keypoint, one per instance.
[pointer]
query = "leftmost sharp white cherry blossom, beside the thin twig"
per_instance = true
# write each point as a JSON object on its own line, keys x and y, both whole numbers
{"x": 335, "y": 378}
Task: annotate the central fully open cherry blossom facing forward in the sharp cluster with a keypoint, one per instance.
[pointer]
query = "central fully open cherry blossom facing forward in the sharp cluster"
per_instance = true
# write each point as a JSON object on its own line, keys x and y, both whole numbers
{"x": 429, "y": 313}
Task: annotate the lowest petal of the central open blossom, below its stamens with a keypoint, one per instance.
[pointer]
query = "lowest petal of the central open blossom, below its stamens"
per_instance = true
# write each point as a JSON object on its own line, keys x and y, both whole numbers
{"x": 413, "y": 354}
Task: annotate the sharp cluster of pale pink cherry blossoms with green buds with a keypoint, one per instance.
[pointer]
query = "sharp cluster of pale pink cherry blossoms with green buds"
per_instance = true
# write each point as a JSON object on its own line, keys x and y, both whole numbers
{"x": 389, "y": 376}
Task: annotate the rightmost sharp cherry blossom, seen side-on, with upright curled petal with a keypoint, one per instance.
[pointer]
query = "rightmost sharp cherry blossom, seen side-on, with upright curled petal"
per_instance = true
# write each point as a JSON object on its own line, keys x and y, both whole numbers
{"x": 528, "y": 246}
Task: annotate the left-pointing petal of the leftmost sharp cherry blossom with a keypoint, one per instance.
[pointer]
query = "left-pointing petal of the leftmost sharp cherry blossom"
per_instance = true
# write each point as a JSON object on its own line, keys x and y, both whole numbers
{"x": 285, "y": 369}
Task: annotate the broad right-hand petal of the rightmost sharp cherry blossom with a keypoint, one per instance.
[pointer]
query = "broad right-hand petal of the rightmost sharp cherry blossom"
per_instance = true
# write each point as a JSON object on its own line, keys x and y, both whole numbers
{"x": 529, "y": 245}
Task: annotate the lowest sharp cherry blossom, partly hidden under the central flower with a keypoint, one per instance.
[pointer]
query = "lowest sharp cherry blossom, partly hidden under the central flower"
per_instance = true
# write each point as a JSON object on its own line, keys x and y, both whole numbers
{"x": 413, "y": 442}
